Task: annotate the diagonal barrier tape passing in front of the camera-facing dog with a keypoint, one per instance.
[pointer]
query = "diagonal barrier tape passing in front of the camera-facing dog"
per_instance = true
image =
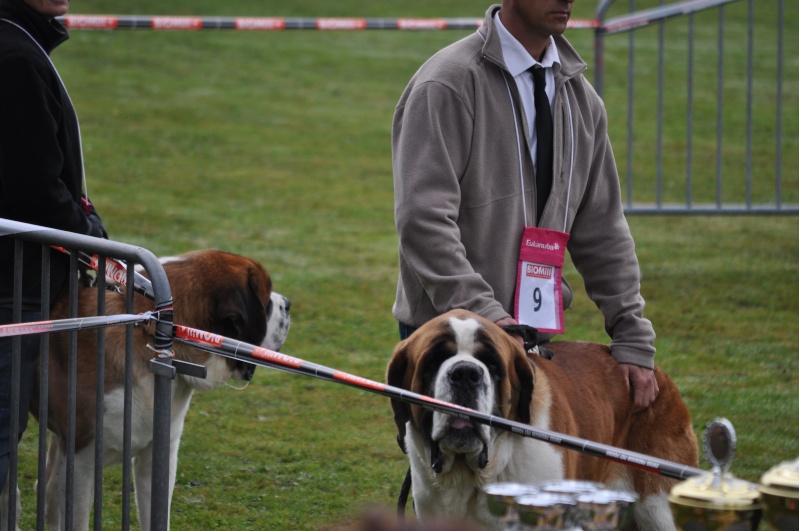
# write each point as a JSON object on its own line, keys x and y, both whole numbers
{"x": 241, "y": 351}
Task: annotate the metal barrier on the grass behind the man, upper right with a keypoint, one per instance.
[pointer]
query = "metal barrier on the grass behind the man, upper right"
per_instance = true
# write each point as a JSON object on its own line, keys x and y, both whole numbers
{"x": 731, "y": 158}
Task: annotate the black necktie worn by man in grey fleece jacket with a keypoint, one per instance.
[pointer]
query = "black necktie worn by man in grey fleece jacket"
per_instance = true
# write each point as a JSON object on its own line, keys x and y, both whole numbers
{"x": 543, "y": 134}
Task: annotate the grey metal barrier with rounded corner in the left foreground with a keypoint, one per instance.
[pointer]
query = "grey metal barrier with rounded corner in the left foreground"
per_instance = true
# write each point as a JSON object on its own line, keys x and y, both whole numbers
{"x": 162, "y": 368}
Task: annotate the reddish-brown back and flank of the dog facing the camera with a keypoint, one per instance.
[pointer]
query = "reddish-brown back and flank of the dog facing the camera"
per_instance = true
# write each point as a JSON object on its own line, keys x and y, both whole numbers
{"x": 663, "y": 430}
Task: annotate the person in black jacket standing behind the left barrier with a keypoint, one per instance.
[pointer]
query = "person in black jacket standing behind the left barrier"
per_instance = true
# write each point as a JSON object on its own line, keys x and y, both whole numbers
{"x": 41, "y": 179}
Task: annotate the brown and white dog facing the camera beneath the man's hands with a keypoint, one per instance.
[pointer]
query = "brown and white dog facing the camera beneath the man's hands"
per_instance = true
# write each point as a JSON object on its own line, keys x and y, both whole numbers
{"x": 464, "y": 359}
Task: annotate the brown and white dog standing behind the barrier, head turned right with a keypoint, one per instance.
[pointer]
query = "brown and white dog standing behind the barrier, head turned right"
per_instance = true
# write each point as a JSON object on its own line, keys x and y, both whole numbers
{"x": 214, "y": 291}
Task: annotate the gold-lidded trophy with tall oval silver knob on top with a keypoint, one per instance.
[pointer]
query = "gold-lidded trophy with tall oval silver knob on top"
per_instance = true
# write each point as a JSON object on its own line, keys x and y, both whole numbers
{"x": 716, "y": 500}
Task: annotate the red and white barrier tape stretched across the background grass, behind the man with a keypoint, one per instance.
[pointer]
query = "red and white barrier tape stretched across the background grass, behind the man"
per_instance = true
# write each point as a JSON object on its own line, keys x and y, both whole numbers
{"x": 112, "y": 22}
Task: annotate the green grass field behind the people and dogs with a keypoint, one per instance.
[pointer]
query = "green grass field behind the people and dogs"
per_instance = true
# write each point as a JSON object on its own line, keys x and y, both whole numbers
{"x": 277, "y": 146}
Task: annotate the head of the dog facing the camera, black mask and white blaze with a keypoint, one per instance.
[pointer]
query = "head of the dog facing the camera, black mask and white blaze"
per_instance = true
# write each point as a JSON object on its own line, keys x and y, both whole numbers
{"x": 463, "y": 359}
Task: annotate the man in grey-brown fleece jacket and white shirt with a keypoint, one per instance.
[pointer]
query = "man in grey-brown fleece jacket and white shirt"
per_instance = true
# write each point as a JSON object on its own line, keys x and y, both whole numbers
{"x": 461, "y": 151}
